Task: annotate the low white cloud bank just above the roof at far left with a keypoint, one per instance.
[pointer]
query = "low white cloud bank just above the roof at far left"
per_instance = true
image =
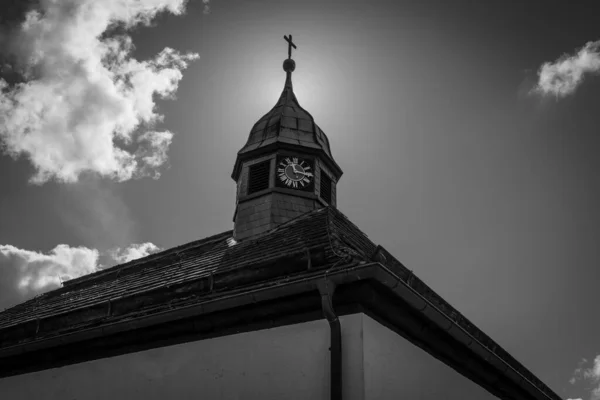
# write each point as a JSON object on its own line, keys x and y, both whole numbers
{"x": 26, "y": 273}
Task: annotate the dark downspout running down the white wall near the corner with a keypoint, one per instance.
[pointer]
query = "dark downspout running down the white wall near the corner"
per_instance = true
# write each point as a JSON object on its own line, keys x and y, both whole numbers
{"x": 327, "y": 288}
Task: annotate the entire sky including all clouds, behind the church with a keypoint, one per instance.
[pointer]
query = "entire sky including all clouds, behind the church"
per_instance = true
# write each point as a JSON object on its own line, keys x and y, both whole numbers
{"x": 467, "y": 132}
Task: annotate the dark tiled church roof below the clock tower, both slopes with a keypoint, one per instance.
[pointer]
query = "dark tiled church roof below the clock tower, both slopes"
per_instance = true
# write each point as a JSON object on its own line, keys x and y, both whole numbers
{"x": 195, "y": 271}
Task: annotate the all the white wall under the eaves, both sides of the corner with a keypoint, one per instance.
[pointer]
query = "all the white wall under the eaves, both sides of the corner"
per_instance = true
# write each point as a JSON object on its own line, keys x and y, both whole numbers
{"x": 290, "y": 362}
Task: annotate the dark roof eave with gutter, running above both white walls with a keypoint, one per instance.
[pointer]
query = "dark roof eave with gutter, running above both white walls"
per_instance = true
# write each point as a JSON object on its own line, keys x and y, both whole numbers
{"x": 374, "y": 271}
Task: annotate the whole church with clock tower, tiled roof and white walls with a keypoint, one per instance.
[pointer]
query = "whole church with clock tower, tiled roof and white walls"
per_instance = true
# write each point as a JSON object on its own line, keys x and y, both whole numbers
{"x": 295, "y": 302}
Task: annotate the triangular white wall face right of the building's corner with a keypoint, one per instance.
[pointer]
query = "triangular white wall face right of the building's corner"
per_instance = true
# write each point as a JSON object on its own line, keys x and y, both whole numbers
{"x": 395, "y": 368}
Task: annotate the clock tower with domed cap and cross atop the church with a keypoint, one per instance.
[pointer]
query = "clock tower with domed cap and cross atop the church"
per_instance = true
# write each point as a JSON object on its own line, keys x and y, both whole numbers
{"x": 285, "y": 169}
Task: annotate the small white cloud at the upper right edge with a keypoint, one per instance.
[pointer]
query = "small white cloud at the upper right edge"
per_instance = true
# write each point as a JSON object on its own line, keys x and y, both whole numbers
{"x": 561, "y": 77}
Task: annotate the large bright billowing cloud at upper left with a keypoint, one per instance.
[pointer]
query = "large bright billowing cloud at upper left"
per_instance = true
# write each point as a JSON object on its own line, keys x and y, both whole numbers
{"x": 86, "y": 105}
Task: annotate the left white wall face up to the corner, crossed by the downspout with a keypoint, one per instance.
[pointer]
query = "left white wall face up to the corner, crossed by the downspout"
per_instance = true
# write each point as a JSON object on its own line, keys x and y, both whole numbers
{"x": 290, "y": 362}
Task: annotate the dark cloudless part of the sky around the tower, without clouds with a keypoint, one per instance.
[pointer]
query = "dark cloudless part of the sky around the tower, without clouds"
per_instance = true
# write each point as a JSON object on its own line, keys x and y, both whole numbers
{"x": 488, "y": 192}
